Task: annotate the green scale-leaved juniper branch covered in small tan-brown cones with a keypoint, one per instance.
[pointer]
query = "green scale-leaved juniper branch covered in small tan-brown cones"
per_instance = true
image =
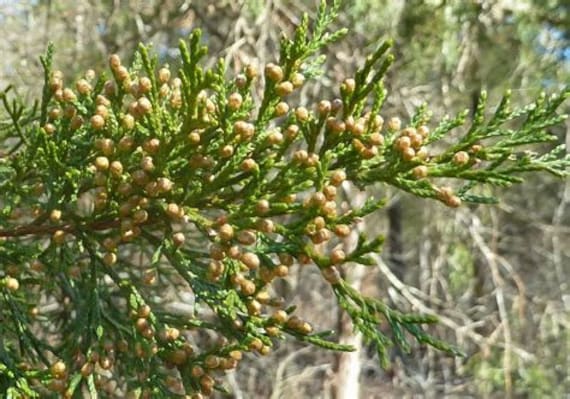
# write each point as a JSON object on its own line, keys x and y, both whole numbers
{"x": 139, "y": 182}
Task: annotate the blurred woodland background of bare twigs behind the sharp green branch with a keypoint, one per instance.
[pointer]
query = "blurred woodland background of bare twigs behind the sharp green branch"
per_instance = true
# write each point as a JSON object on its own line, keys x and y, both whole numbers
{"x": 498, "y": 276}
